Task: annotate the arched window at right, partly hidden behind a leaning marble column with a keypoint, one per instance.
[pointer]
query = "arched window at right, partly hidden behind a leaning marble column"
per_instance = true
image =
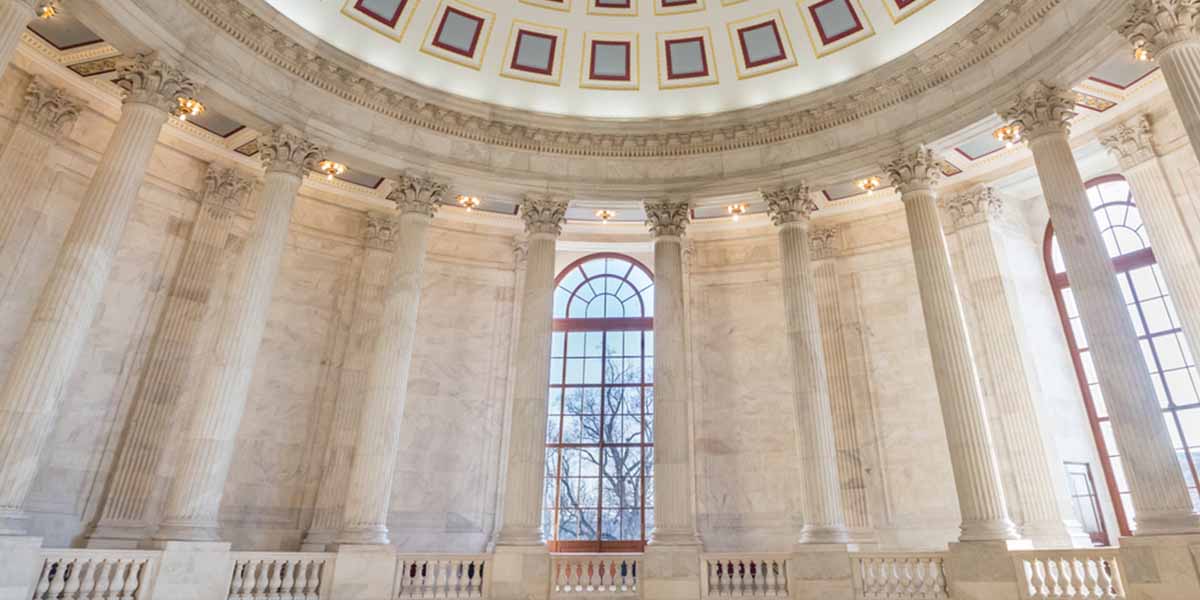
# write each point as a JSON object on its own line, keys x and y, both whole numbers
{"x": 1163, "y": 346}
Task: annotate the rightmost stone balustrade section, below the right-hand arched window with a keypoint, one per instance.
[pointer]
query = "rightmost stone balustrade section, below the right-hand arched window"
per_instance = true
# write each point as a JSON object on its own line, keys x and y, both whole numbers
{"x": 1066, "y": 574}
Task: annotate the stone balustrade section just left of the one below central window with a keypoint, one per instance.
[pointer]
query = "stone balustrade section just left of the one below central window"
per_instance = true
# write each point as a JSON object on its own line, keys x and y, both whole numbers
{"x": 442, "y": 577}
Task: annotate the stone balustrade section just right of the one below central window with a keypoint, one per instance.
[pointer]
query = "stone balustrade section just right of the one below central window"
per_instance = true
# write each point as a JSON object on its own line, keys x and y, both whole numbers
{"x": 745, "y": 575}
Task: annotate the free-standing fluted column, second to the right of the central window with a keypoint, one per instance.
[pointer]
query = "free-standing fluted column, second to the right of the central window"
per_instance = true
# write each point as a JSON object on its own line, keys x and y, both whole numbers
{"x": 825, "y": 521}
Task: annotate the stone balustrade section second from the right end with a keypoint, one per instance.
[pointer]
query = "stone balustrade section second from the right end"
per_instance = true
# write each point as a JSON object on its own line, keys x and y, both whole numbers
{"x": 899, "y": 577}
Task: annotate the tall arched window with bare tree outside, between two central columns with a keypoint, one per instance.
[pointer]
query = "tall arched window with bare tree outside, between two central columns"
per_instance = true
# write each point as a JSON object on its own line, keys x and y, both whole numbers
{"x": 601, "y": 433}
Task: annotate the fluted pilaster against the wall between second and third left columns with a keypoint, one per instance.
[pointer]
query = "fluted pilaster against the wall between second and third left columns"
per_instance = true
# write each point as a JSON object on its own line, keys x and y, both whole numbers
{"x": 136, "y": 476}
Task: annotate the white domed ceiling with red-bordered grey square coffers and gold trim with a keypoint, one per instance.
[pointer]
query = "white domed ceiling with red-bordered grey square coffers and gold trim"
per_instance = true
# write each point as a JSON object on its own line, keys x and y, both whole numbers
{"x": 627, "y": 58}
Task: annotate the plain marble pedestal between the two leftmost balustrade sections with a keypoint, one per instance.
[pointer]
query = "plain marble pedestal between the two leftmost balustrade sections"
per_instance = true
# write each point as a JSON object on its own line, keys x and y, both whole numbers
{"x": 193, "y": 571}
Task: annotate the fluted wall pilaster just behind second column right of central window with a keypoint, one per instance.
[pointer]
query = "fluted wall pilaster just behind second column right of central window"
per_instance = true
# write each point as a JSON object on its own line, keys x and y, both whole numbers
{"x": 825, "y": 247}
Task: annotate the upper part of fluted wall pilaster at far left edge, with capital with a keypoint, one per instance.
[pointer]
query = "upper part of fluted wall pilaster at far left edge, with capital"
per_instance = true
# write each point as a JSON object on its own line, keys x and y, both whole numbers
{"x": 49, "y": 116}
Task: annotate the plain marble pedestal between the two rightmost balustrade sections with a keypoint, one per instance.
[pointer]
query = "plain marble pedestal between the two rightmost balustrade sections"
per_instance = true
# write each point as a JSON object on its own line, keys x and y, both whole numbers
{"x": 983, "y": 569}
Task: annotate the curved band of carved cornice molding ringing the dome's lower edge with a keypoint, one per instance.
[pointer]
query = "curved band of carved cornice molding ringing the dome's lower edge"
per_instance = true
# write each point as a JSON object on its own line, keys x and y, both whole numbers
{"x": 863, "y": 98}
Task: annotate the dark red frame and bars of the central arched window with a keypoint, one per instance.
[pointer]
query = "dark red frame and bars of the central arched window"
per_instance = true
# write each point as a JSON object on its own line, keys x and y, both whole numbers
{"x": 604, "y": 326}
